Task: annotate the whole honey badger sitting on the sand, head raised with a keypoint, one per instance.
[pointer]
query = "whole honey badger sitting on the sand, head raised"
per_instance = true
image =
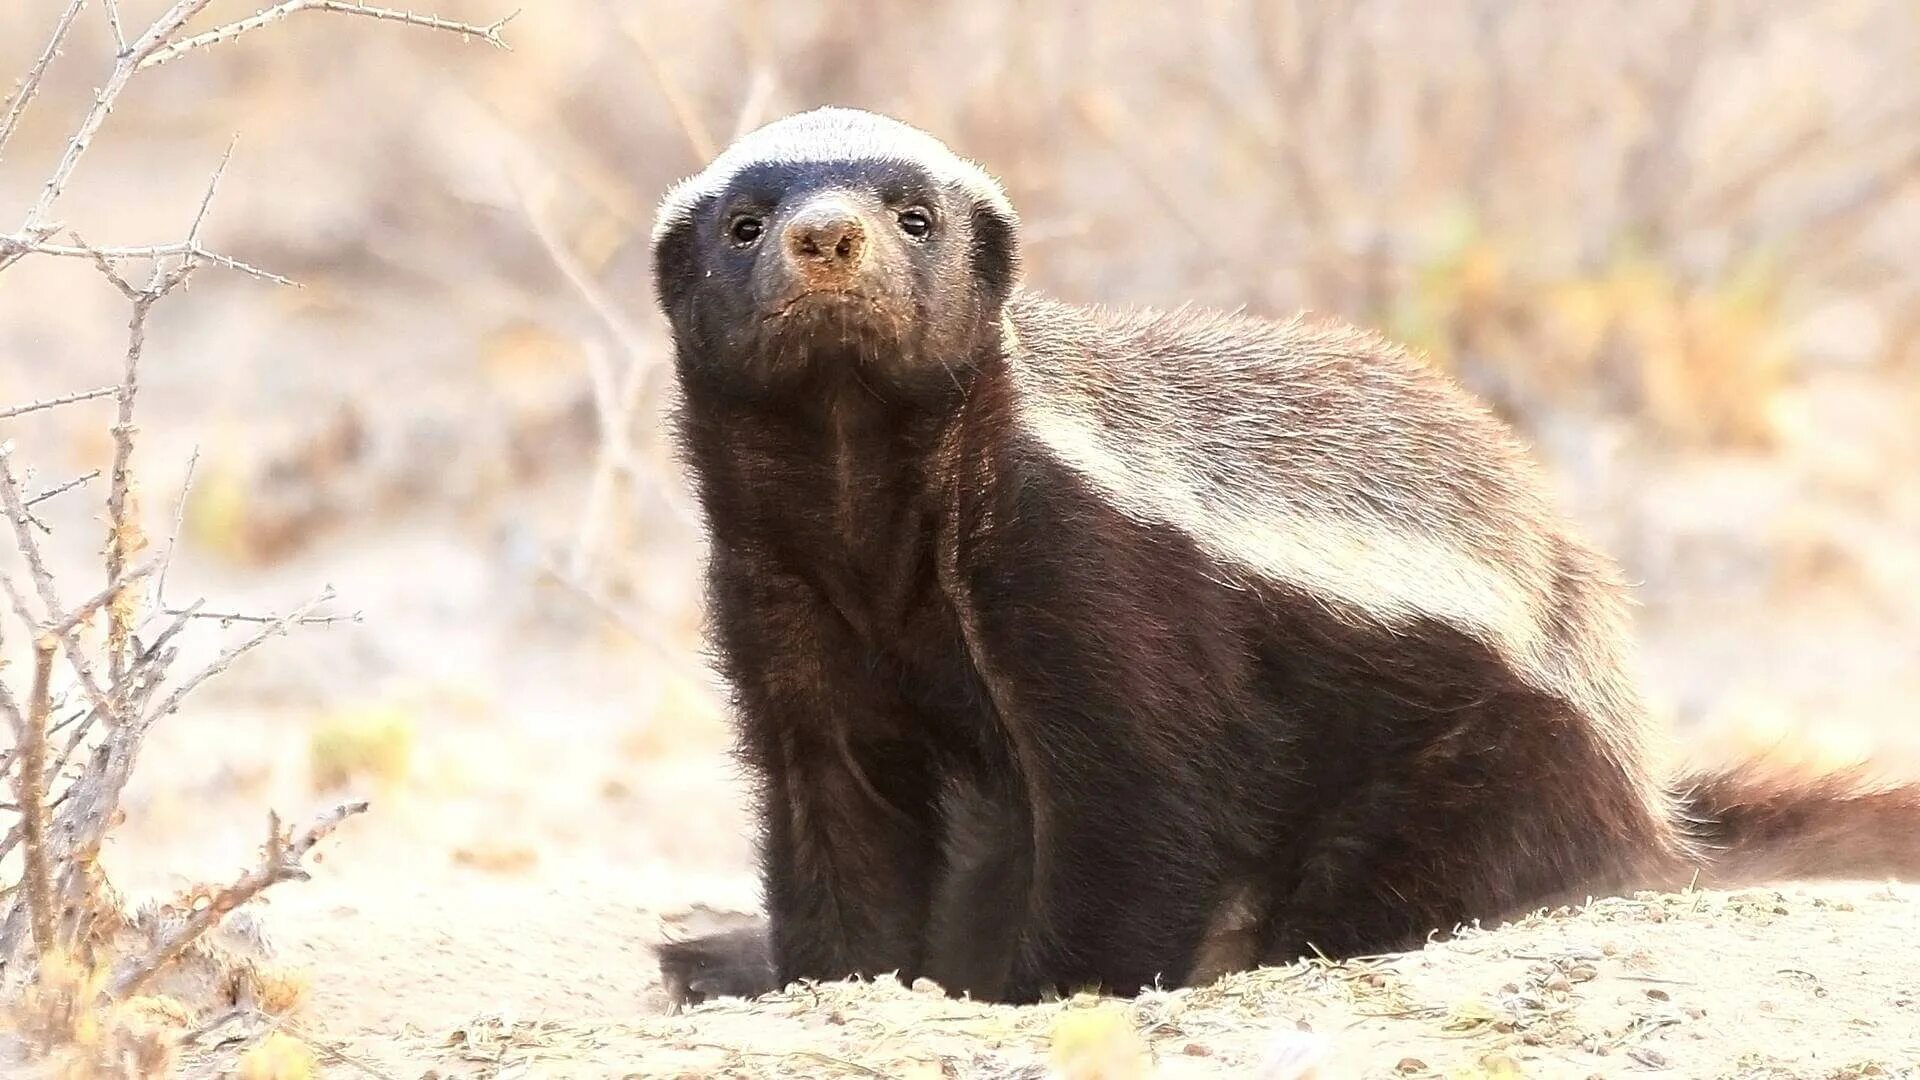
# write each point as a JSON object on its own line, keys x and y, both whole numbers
{"x": 1082, "y": 647}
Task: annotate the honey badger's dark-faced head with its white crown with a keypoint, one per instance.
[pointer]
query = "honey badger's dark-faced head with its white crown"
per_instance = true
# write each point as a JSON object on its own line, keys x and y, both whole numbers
{"x": 836, "y": 243}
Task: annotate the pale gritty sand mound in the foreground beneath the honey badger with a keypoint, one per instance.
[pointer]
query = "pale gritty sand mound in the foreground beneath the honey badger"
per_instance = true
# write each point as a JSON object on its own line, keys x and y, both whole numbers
{"x": 1679, "y": 987}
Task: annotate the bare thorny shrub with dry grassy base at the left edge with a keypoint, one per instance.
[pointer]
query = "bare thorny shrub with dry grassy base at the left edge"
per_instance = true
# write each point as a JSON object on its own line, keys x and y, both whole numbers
{"x": 76, "y": 966}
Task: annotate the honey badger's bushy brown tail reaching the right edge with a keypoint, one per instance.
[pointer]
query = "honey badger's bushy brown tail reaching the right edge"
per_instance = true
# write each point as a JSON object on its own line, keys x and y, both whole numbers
{"x": 1762, "y": 822}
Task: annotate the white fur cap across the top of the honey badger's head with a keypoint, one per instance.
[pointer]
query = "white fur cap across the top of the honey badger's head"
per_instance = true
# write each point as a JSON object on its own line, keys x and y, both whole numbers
{"x": 830, "y": 134}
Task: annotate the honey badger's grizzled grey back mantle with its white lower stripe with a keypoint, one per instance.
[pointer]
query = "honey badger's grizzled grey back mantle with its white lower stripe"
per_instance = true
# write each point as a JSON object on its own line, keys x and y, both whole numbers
{"x": 1328, "y": 460}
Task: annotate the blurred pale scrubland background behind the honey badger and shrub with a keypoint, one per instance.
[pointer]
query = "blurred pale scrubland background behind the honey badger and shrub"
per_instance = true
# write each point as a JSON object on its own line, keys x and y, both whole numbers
{"x": 1677, "y": 245}
